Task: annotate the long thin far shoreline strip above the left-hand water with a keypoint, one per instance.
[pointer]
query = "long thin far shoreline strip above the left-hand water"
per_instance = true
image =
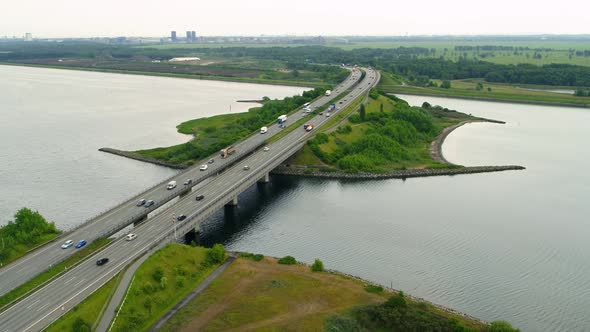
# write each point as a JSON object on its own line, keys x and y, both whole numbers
{"x": 172, "y": 75}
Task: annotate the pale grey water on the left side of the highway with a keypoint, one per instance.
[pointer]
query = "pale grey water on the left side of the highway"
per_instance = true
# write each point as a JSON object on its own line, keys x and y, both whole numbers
{"x": 52, "y": 123}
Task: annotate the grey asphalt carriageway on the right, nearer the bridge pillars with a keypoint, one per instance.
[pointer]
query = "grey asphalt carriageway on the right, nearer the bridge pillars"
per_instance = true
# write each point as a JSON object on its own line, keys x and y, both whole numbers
{"x": 50, "y": 302}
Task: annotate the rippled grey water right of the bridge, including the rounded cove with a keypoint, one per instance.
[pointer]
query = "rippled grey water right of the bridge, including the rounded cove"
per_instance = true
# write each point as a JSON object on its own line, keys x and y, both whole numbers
{"x": 511, "y": 245}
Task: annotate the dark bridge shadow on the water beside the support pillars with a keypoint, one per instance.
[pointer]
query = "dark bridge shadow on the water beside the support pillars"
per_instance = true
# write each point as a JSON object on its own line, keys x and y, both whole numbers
{"x": 228, "y": 223}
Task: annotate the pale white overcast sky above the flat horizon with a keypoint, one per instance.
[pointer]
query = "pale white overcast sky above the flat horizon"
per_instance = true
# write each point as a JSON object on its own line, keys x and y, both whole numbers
{"x": 82, "y": 18}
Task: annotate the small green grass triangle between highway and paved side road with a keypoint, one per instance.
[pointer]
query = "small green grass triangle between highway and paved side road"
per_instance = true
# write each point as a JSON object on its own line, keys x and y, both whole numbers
{"x": 86, "y": 313}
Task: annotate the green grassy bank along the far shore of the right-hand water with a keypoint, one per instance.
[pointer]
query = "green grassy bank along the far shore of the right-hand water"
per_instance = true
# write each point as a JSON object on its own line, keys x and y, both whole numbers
{"x": 491, "y": 91}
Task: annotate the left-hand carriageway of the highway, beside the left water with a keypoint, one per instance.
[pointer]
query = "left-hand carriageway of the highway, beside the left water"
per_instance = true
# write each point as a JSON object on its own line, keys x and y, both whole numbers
{"x": 22, "y": 270}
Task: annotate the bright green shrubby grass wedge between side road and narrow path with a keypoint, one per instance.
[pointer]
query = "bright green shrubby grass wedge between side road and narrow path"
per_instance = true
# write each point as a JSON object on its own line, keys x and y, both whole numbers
{"x": 160, "y": 282}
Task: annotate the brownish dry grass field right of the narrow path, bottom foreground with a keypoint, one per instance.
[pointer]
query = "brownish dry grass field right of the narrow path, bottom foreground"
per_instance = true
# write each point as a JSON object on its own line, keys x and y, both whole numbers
{"x": 264, "y": 295}
